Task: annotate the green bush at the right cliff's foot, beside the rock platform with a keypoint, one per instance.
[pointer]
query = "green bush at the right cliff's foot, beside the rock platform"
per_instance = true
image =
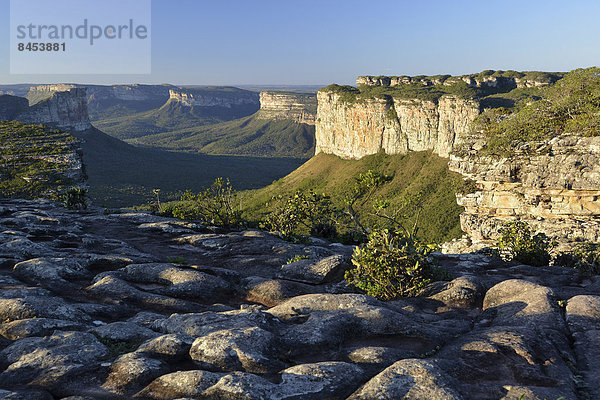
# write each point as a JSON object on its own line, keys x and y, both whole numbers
{"x": 519, "y": 244}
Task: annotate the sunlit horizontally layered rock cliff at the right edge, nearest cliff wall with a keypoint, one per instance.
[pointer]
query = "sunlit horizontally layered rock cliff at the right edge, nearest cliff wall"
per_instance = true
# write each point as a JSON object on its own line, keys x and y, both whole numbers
{"x": 555, "y": 190}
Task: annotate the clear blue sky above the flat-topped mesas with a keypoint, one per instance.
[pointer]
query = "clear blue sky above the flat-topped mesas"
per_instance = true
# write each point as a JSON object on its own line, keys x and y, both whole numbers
{"x": 318, "y": 42}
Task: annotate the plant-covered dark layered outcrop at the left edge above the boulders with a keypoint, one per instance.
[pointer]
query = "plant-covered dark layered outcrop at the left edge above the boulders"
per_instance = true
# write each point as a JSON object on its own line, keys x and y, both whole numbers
{"x": 35, "y": 161}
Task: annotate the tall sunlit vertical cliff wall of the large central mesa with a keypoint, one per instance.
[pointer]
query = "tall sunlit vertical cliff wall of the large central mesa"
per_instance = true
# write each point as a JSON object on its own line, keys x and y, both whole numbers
{"x": 396, "y": 126}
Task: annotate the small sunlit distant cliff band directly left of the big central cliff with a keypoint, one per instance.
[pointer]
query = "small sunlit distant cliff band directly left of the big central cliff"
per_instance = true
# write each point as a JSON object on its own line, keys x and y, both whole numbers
{"x": 298, "y": 107}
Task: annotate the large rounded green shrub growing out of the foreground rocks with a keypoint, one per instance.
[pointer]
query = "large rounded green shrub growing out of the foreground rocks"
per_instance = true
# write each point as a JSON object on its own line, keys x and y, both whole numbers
{"x": 392, "y": 264}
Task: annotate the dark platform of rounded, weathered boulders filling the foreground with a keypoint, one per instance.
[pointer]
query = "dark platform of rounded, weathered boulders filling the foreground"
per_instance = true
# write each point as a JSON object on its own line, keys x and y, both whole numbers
{"x": 92, "y": 309}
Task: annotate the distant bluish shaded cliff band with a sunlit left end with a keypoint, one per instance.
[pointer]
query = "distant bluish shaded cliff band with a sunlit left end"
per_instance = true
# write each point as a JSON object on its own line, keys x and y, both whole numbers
{"x": 213, "y": 98}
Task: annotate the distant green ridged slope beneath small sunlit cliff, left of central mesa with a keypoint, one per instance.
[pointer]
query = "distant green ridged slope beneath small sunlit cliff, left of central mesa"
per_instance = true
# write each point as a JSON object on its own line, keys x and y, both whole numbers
{"x": 250, "y": 136}
